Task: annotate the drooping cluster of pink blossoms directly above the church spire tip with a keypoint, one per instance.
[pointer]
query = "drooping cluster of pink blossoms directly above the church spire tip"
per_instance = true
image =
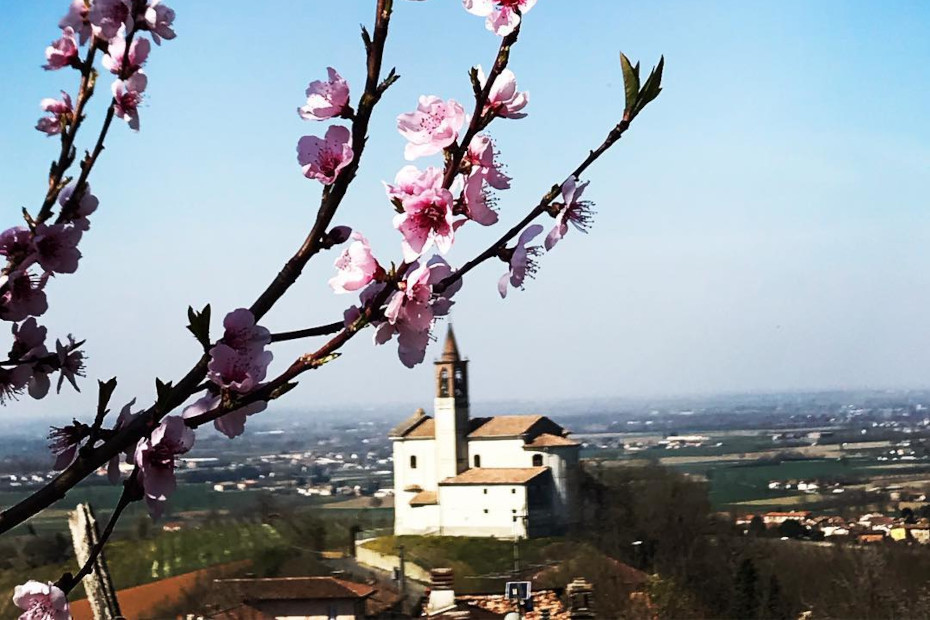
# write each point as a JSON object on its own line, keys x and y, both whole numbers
{"x": 410, "y": 312}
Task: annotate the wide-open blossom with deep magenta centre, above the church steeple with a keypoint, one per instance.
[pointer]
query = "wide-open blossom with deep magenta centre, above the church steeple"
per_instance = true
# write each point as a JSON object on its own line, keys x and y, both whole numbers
{"x": 426, "y": 219}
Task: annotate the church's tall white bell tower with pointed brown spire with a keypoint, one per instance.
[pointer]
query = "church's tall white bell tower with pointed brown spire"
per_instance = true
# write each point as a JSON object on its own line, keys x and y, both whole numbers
{"x": 450, "y": 410}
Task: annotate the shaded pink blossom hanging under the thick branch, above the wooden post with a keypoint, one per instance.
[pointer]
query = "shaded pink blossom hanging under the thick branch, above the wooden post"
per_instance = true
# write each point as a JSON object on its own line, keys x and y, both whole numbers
{"x": 155, "y": 457}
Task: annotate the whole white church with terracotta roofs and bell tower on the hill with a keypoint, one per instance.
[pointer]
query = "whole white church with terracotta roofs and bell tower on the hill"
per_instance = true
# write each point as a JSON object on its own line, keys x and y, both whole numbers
{"x": 506, "y": 476}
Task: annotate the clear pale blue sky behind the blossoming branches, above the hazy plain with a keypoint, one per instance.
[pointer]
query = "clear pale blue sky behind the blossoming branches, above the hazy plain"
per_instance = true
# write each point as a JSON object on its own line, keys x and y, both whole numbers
{"x": 763, "y": 226}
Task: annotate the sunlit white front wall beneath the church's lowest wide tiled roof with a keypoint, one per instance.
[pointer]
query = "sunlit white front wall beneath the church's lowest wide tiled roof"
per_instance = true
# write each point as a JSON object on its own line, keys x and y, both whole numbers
{"x": 475, "y": 510}
